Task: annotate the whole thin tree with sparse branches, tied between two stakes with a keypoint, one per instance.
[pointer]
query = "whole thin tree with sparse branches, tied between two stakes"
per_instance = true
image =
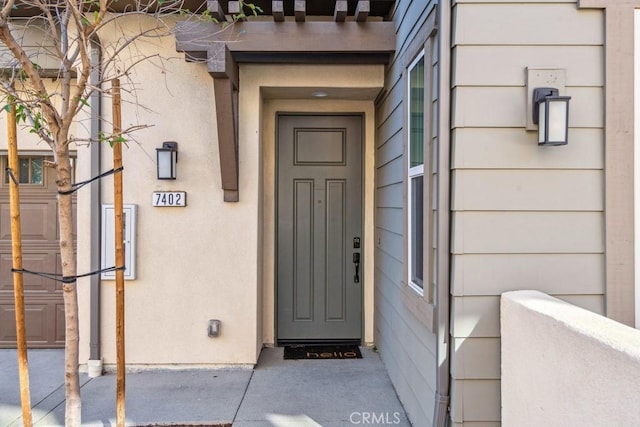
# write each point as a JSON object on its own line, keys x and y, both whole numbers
{"x": 71, "y": 27}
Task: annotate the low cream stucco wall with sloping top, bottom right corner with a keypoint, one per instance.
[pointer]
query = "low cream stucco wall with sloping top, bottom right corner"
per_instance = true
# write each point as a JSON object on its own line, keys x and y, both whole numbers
{"x": 563, "y": 365}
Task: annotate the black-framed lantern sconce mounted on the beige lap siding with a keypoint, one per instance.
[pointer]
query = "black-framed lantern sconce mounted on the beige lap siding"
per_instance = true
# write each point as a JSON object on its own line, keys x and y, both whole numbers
{"x": 551, "y": 113}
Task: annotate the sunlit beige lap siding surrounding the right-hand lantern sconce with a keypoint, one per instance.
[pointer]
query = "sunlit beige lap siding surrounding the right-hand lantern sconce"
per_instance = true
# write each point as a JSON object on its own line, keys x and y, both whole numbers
{"x": 524, "y": 217}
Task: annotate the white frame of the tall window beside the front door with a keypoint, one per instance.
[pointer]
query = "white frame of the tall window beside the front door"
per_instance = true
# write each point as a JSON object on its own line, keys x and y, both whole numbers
{"x": 415, "y": 172}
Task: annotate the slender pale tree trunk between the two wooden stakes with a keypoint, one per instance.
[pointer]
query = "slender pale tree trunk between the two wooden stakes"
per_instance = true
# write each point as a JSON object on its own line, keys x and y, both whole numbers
{"x": 67, "y": 254}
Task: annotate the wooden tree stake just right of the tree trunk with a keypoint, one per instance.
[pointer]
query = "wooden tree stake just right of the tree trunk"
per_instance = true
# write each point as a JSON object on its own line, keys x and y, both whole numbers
{"x": 119, "y": 253}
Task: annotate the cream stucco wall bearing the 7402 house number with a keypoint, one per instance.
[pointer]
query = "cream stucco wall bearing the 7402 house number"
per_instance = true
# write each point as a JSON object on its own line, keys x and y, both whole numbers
{"x": 194, "y": 263}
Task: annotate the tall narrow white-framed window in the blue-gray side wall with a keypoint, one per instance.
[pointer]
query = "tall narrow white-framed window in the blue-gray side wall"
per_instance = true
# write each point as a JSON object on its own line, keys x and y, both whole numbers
{"x": 415, "y": 179}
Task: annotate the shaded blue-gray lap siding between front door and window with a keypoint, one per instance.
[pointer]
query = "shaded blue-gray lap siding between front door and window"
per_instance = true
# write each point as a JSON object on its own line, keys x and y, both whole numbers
{"x": 406, "y": 344}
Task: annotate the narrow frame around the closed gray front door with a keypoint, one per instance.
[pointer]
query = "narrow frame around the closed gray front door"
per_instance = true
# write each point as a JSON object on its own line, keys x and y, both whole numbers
{"x": 363, "y": 263}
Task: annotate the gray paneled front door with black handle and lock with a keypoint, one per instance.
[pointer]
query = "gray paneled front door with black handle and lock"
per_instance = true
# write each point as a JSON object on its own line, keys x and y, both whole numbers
{"x": 319, "y": 228}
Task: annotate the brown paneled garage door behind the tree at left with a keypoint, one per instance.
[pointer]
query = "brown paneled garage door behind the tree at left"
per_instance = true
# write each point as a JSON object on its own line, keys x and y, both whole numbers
{"x": 44, "y": 309}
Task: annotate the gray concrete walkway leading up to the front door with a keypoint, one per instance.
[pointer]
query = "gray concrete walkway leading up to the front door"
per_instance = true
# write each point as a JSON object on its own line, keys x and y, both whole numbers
{"x": 276, "y": 393}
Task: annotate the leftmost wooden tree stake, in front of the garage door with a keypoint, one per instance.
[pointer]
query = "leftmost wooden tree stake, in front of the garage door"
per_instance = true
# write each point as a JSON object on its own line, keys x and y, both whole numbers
{"x": 18, "y": 287}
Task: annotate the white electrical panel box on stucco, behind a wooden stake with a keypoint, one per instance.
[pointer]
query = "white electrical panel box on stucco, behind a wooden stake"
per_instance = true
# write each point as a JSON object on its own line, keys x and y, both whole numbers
{"x": 108, "y": 242}
